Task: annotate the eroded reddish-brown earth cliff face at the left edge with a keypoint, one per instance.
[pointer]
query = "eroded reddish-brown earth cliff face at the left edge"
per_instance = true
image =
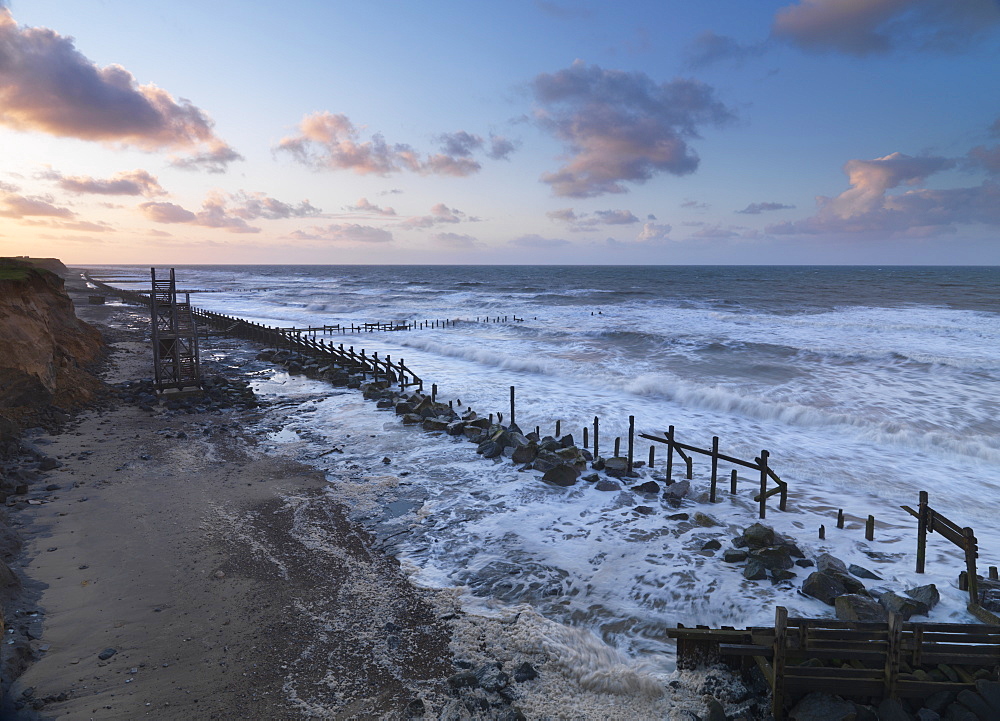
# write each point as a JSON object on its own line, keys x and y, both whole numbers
{"x": 44, "y": 348}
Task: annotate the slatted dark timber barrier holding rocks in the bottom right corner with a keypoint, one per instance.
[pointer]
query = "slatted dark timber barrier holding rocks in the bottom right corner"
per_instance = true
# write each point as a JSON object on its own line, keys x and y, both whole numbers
{"x": 867, "y": 661}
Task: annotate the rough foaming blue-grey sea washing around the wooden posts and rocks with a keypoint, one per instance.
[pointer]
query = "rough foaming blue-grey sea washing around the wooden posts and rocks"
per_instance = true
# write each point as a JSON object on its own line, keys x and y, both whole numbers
{"x": 866, "y": 385}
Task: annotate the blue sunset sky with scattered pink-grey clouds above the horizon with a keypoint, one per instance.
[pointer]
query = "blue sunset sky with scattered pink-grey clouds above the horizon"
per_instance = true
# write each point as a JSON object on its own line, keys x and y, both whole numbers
{"x": 521, "y": 132}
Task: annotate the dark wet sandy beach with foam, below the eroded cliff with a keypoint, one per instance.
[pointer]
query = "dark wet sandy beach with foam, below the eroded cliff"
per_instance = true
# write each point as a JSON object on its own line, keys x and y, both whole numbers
{"x": 249, "y": 592}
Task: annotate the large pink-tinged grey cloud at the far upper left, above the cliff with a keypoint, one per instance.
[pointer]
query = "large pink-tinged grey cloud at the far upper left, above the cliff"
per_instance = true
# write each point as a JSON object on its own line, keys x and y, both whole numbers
{"x": 48, "y": 86}
